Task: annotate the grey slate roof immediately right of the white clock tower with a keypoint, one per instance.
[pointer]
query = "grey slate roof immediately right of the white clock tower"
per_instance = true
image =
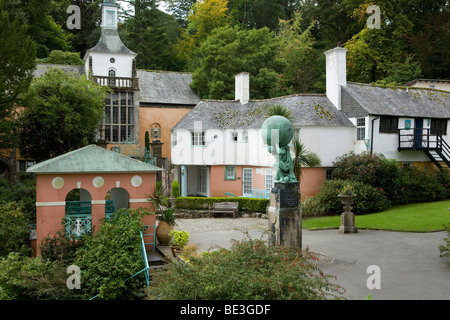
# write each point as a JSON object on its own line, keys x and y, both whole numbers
{"x": 166, "y": 87}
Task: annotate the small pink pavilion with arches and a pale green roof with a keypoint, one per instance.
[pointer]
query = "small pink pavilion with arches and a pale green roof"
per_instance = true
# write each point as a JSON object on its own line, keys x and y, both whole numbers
{"x": 86, "y": 185}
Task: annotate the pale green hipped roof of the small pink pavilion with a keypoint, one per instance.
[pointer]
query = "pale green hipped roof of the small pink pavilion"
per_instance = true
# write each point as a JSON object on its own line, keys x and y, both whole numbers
{"x": 92, "y": 159}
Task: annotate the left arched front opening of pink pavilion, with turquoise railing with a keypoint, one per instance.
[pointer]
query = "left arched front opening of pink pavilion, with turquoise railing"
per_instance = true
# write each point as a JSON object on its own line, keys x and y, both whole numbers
{"x": 78, "y": 218}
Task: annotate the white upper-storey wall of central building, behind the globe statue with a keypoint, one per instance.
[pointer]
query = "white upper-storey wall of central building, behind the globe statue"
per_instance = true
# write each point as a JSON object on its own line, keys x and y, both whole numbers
{"x": 326, "y": 142}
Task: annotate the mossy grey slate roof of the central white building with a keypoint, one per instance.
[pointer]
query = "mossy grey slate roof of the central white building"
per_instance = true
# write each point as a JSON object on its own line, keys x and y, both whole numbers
{"x": 307, "y": 110}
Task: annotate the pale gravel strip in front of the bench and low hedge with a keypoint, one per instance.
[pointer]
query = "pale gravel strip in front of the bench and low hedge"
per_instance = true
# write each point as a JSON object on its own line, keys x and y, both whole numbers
{"x": 200, "y": 225}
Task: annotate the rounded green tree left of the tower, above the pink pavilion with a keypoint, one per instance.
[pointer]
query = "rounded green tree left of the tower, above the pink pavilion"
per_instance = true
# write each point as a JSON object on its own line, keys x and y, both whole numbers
{"x": 61, "y": 113}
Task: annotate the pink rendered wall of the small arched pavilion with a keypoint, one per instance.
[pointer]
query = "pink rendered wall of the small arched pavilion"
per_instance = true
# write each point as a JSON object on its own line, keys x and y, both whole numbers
{"x": 48, "y": 217}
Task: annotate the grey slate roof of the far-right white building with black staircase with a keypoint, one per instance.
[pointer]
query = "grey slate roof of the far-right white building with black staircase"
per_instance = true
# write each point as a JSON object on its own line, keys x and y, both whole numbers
{"x": 364, "y": 99}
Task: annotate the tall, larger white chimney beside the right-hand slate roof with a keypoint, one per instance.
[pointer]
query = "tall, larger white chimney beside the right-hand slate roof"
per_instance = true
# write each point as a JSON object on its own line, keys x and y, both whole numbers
{"x": 336, "y": 74}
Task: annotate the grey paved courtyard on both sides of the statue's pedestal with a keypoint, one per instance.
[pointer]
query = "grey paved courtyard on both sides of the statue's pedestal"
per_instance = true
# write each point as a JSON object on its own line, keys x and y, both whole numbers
{"x": 409, "y": 263}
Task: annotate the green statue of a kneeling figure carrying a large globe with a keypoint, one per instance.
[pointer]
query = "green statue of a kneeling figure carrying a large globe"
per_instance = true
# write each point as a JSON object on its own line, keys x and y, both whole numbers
{"x": 281, "y": 126}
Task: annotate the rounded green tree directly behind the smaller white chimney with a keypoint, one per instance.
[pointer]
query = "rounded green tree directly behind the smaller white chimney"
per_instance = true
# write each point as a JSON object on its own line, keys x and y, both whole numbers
{"x": 229, "y": 51}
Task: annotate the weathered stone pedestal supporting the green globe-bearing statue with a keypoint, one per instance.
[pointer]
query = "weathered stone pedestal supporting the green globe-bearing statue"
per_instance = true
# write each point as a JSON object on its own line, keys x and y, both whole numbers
{"x": 285, "y": 216}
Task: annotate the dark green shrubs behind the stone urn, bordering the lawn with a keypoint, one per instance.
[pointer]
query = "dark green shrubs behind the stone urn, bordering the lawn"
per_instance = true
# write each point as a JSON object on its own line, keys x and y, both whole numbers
{"x": 378, "y": 184}
